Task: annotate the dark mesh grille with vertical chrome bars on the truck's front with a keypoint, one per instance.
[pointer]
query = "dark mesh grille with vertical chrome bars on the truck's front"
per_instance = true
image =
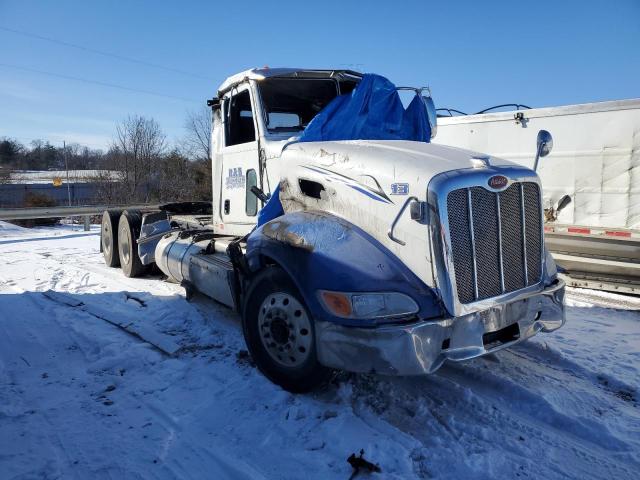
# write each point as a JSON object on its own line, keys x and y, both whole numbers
{"x": 496, "y": 239}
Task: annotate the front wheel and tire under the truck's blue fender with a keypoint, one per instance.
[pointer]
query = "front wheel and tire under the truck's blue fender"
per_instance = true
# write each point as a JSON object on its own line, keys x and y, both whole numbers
{"x": 279, "y": 332}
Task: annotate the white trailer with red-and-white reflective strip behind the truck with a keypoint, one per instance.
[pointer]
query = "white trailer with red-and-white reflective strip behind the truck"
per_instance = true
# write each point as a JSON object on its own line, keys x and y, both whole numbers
{"x": 595, "y": 162}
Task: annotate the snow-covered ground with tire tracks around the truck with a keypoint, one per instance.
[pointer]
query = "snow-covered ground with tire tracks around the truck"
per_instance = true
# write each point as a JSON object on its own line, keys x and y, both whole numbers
{"x": 82, "y": 398}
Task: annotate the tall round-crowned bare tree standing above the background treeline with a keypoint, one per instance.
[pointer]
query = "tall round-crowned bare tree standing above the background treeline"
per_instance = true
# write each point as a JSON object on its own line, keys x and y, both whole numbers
{"x": 136, "y": 152}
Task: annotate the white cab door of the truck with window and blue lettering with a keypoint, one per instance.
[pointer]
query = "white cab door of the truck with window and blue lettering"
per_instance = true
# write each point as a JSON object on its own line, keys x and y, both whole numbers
{"x": 240, "y": 163}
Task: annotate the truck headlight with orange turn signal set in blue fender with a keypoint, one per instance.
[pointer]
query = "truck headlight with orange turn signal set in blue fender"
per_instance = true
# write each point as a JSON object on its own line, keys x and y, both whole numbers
{"x": 368, "y": 305}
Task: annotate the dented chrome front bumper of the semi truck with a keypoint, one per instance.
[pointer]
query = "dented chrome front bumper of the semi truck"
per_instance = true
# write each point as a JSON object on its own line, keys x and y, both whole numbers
{"x": 423, "y": 347}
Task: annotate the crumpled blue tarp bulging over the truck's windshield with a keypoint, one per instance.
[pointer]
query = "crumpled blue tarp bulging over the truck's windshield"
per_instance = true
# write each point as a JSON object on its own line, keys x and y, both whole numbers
{"x": 372, "y": 111}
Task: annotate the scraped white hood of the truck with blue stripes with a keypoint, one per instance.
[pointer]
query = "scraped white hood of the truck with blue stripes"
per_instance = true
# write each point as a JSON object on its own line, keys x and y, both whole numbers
{"x": 367, "y": 182}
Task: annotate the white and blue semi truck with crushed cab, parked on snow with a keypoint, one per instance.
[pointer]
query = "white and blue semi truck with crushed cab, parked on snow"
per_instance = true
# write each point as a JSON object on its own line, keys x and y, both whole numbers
{"x": 369, "y": 254}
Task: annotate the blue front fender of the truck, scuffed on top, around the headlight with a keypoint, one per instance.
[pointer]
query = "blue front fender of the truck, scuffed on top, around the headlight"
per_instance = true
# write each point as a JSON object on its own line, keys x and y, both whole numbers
{"x": 320, "y": 251}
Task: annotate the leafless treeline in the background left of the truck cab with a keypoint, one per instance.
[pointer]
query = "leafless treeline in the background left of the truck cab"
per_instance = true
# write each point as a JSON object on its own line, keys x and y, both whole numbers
{"x": 139, "y": 165}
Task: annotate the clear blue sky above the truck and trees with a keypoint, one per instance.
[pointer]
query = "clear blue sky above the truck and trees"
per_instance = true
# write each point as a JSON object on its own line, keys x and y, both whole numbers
{"x": 473, "y": 54}
